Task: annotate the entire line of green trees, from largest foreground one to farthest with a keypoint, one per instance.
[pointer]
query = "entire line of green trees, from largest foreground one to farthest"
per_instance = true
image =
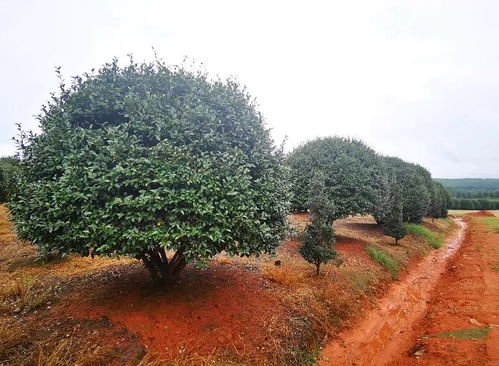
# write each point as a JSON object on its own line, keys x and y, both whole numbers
{"x": 145, "y": 160}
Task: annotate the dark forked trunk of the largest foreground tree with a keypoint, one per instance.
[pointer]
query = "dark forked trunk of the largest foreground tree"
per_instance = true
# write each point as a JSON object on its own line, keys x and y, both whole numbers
{"x": 162, "y": 269}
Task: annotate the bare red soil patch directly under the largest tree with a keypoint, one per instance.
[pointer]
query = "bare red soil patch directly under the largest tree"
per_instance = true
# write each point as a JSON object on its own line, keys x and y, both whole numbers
{"x": 225, "y": 309}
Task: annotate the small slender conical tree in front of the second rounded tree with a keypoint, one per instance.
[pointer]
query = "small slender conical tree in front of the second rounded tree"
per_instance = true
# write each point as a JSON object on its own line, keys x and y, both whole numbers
{"x": 318, "y": 241}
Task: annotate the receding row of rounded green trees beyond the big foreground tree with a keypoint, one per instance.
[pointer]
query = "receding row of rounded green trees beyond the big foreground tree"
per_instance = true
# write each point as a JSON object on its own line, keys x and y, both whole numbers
{"x": 356, "y": 181}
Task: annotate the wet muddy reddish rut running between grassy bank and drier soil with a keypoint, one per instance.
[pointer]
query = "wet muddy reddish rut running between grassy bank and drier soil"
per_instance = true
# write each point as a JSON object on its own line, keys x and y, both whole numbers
{"x": 387, "y": 332}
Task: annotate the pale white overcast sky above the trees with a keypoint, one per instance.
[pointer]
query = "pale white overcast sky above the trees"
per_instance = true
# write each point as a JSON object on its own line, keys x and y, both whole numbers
{"x": 415, "y": 79}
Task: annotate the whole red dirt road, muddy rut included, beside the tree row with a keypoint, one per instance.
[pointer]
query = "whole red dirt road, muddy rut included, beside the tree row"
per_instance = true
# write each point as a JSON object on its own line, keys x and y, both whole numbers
{"x": 443, "y": 292}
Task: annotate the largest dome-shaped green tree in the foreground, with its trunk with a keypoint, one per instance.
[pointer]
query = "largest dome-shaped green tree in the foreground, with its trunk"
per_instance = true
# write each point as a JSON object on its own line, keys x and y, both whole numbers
{"x": 157, "y": 163}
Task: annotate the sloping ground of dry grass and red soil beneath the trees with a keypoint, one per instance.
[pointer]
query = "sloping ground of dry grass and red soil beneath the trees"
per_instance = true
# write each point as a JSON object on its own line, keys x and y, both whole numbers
{"x": 246, "y": 311}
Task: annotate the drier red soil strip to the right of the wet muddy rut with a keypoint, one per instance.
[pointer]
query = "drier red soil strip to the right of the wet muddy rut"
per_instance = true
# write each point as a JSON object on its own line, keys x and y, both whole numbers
{"x": 466, "y": 297}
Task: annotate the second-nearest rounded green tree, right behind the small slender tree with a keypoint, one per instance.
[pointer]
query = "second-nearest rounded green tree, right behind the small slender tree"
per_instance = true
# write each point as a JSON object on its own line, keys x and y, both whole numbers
{"x": 349, "y": 167}
